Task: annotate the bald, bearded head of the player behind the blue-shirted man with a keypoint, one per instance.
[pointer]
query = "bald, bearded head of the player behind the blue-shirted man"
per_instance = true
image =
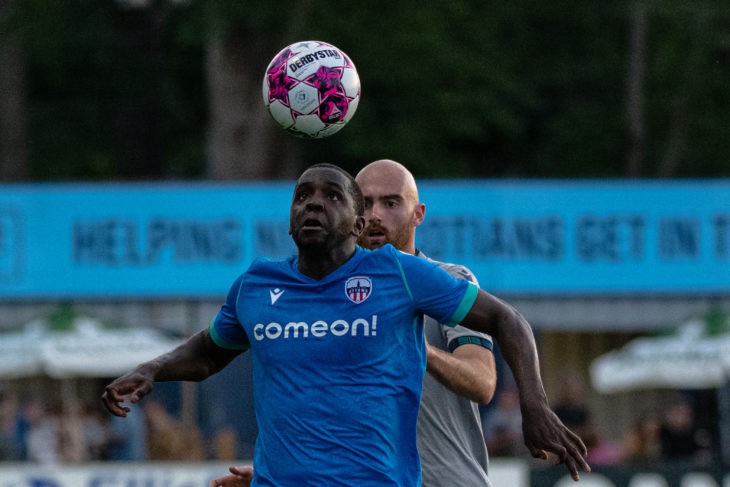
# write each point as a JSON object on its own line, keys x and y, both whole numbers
{"x": 392, "y": 209}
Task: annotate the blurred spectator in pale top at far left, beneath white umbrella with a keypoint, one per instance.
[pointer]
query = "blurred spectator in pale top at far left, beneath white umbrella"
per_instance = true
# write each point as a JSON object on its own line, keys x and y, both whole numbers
{"x": 42, "y": 435}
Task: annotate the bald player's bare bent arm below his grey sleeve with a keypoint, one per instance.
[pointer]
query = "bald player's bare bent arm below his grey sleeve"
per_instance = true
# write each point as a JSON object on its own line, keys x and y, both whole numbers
{"x": 469, "y": 371}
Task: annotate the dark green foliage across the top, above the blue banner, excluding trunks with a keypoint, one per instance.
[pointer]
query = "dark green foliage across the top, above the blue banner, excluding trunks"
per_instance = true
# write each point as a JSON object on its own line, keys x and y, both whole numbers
{"x": 450, "y": 88}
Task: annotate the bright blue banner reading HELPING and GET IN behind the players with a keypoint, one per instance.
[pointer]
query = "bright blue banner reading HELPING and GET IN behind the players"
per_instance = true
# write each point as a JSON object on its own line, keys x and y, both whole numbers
{"x": 520, "y": 237}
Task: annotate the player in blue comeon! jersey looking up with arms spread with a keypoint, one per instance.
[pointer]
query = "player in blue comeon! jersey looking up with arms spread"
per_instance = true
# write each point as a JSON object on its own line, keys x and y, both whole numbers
{"x": 336, "y": 334}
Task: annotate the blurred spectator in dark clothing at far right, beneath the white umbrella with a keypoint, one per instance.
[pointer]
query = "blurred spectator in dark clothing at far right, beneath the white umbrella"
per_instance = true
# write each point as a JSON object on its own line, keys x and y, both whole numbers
{"x": 680, "y": 440}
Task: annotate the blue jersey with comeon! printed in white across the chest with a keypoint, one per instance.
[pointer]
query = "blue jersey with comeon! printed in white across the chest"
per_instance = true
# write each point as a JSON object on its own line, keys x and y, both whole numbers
{"x": 338, "y": 364}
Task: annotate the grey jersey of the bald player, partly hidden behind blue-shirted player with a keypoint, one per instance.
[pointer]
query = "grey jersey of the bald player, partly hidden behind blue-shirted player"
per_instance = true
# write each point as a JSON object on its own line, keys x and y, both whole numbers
{"x": 450, "y": 438}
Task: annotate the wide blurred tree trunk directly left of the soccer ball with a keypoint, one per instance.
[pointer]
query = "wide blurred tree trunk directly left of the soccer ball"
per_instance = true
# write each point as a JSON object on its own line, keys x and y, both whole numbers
{"x": 241, "y": 142}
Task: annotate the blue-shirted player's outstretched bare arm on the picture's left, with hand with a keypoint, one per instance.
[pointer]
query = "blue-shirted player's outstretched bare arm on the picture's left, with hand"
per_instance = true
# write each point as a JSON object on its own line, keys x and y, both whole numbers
{"x": 196, "y": 359}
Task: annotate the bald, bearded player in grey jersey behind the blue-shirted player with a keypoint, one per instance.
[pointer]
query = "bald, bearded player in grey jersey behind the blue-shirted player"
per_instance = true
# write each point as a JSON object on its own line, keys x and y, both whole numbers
{"x": 461, "y": 369}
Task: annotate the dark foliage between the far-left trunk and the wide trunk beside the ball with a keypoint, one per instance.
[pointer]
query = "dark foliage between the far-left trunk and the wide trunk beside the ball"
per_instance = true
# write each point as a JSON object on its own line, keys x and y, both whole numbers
{"x": 111, "y": 96}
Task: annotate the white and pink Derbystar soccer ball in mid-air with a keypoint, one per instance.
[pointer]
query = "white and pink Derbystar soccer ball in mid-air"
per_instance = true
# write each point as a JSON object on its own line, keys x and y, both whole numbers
{"x": 311, "y": 89}
